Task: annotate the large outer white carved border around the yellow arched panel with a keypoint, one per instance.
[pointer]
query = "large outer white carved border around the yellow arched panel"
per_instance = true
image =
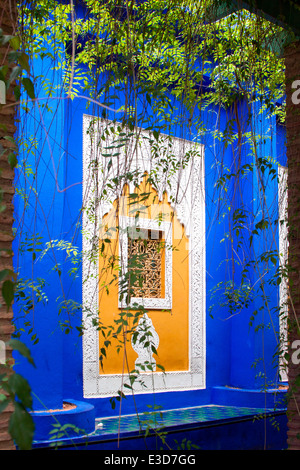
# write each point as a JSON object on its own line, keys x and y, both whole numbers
{"x": 190, "y": 210}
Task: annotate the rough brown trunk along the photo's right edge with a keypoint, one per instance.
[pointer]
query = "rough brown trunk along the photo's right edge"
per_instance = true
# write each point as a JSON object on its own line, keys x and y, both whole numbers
{"x": 292, "y": 61}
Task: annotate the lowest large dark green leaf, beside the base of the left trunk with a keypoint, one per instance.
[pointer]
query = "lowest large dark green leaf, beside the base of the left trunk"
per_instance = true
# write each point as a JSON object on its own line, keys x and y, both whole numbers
{"x": 21, "y": 427}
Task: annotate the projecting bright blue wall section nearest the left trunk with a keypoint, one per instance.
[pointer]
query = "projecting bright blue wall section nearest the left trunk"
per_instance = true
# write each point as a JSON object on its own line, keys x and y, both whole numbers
{"x": 40, "y": 218}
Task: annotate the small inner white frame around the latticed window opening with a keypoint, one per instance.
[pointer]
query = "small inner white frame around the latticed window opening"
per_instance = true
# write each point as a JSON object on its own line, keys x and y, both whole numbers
{"x": 165, "y": 227}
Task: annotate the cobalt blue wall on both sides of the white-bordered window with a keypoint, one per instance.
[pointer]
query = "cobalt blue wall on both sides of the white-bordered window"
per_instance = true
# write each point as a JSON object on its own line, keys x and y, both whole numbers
{"x": 232, "y": 347}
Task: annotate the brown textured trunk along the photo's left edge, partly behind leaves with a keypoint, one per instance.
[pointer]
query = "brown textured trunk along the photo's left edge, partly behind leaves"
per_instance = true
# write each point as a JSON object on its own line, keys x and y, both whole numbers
{"x": 7, "y": 128}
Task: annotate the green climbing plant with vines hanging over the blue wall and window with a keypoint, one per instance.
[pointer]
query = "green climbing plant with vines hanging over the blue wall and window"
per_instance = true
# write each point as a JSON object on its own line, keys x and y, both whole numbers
{"x": 144, "y": 65}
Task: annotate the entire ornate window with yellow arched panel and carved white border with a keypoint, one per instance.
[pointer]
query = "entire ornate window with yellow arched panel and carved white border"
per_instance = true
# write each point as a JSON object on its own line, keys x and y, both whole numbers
{"x": 170, "y": 284}
